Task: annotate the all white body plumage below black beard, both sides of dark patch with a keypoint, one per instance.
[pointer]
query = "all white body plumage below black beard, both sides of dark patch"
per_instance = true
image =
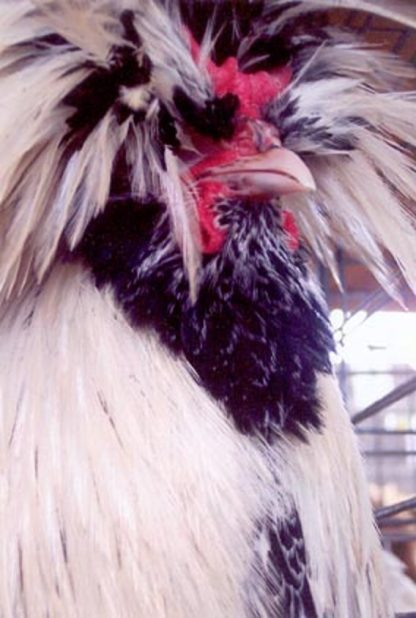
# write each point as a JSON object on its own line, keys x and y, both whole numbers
{"x": 129, "y": 492}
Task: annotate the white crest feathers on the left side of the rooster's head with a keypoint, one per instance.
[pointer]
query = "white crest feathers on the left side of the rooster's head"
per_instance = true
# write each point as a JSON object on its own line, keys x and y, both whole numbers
{"x": 49, "y": 192}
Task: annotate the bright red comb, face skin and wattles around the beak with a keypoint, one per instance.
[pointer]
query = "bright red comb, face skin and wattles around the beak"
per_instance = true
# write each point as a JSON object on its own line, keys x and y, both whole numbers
{"x": 254, "y": 91}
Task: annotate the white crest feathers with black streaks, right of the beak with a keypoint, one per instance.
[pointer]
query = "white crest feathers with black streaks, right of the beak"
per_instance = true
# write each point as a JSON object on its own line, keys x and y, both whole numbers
{"x": 355, "y": 128}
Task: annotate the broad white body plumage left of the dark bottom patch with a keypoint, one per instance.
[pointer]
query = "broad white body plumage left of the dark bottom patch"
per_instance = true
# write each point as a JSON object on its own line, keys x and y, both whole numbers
{"x": 125, "y": 491}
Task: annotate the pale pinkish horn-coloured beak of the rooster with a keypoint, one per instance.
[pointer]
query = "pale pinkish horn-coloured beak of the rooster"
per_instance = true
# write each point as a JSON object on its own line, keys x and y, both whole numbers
{"x": 276, "y": 172}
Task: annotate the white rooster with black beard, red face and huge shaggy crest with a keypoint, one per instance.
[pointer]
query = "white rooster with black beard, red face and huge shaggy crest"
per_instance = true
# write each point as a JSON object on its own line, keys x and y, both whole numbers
{"x": 173, "y": 439}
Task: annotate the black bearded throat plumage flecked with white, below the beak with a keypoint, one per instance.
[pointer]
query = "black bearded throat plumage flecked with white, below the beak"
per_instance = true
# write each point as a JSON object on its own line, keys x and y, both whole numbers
{"x": 256, "y": 335}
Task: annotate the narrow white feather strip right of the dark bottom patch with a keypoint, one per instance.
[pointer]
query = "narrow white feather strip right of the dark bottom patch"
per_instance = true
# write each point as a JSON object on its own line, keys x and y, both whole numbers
{"x": 330, "y": 492}
